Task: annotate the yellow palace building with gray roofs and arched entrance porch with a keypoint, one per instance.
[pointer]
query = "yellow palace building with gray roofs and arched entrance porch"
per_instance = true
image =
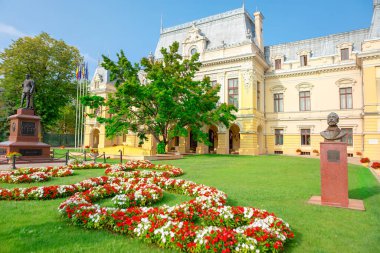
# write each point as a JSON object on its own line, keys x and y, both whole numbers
{"x": 283, "y": 92}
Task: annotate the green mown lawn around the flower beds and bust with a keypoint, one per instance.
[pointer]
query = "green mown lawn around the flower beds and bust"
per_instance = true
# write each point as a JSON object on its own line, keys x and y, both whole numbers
{"x": 276, "y": 183}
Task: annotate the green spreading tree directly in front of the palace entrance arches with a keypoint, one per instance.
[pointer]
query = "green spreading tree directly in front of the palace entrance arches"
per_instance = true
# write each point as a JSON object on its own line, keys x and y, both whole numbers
{"x": 169, "y": 103}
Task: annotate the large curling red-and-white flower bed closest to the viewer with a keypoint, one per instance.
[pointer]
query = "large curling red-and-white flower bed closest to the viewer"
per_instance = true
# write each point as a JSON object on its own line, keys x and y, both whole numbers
{"x": 222, "y": 229}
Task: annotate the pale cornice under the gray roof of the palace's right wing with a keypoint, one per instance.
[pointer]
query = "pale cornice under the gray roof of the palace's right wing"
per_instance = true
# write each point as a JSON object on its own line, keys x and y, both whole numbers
{"x": 310, "y": 71}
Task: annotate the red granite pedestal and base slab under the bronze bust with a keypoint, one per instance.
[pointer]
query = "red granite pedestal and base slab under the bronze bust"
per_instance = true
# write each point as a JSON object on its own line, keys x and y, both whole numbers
{"x": 334, "y": 178}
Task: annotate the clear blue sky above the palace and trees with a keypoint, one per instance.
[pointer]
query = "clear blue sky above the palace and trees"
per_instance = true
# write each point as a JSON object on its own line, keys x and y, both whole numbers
{"x": 98, "y": 27}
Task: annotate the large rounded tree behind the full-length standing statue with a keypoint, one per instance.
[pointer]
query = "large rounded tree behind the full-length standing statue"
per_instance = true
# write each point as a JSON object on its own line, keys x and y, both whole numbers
{"x": 51, "y": 63}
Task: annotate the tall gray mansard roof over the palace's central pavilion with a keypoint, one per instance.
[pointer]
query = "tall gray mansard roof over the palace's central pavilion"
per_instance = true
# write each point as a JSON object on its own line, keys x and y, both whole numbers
{"x": 231, "y": 28}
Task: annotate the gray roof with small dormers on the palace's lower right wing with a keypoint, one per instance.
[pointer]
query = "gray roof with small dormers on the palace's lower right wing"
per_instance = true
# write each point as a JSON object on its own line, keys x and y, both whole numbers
{"x": 321, "y": 46}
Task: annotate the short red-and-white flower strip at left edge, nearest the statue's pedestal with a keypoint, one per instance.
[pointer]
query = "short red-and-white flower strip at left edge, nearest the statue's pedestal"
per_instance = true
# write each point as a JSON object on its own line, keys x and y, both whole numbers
{"x": 28, "y": 175}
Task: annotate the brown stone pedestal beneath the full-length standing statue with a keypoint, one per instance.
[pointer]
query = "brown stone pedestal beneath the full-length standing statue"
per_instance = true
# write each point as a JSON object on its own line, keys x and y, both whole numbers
{"x": 23, "y": 138}
